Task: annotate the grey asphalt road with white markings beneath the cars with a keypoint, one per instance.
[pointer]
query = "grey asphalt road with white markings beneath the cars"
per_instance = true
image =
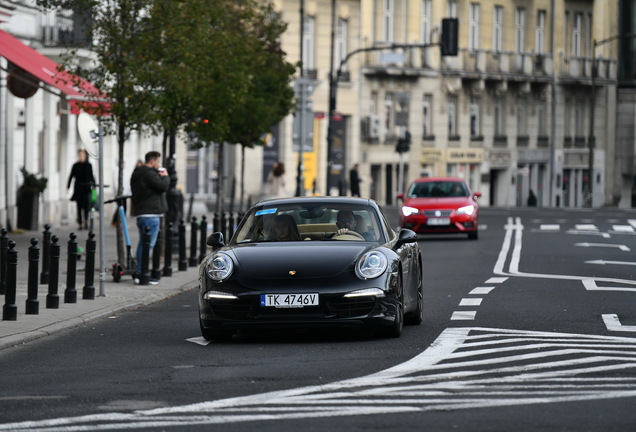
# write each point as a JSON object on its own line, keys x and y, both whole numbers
{"x": 530, "y": 328}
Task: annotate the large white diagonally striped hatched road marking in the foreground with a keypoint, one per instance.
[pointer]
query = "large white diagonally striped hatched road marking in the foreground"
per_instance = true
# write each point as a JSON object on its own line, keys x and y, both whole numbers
{"x": 465, "y": 368}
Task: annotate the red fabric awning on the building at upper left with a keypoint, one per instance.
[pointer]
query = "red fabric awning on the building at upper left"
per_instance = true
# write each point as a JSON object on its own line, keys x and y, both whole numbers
{"x": 76, "y": 89}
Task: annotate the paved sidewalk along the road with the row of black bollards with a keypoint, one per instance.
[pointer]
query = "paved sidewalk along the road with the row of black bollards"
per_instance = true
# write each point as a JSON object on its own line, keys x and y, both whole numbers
{"x": 117, "y": 296}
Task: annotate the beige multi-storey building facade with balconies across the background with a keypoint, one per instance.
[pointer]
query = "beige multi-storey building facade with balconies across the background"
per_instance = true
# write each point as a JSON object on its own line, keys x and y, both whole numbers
{"x": 513, "y": 111}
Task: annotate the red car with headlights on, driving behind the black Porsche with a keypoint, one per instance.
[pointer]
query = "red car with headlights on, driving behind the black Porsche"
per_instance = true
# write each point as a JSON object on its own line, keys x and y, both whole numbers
{"x": 440, "y": 205}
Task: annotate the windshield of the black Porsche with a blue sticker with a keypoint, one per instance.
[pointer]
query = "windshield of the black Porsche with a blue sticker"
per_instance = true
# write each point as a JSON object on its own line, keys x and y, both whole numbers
{"x": 317, "y": 222}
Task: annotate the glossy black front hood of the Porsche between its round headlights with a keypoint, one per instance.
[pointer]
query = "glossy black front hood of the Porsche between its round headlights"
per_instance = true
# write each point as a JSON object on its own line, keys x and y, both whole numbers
{"x": 277, "y": 260}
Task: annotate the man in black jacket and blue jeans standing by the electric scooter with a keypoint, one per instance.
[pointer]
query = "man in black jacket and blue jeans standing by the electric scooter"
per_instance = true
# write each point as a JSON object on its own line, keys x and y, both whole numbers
{"x": 149, "y": 184}
